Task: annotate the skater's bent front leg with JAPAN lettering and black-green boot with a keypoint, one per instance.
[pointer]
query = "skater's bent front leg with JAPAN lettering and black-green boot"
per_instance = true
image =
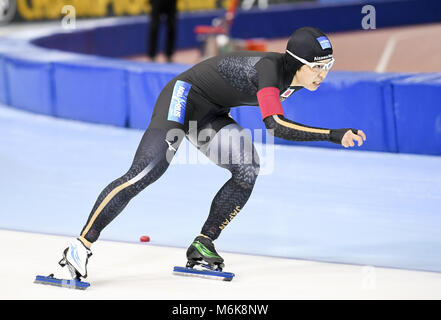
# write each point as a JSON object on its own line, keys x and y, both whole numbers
{"x": 230, "y": 147}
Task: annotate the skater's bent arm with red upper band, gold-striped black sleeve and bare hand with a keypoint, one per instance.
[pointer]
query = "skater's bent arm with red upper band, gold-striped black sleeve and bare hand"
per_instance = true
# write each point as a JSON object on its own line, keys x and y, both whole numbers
{"x": 281, "y": 127}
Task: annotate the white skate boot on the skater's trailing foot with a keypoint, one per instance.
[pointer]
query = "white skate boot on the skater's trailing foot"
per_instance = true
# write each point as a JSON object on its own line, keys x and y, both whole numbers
{"x": 75, "y": 257}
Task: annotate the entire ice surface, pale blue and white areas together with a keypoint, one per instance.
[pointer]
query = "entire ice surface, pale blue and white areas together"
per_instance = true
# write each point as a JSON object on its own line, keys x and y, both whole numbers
{"x": 359, "y": 225}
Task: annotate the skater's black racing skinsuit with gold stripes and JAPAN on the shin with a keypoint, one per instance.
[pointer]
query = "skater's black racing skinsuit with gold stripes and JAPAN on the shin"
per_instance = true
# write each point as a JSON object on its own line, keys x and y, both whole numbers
{"x": 205, "y": 93}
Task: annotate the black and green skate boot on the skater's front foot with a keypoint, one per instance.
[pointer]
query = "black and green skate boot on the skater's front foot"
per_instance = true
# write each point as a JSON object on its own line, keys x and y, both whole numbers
{"x": 202, "y": 252}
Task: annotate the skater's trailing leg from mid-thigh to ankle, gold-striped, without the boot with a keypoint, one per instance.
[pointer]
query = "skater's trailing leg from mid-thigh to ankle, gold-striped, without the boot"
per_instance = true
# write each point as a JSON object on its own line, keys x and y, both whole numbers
{"x": 150, "y": 162}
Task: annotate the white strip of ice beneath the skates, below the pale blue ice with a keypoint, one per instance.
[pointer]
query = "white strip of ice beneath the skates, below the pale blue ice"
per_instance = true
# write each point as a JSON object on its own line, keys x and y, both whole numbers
{"x": 142, "y": 271}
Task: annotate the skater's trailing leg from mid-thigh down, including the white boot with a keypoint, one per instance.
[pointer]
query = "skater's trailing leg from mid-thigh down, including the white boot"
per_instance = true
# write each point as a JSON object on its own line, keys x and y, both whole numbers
{"x": 151, "y": 160}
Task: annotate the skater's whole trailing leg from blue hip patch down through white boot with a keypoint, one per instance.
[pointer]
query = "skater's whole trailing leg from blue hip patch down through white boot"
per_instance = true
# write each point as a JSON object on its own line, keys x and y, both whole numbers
{"x": 153, "y": 156}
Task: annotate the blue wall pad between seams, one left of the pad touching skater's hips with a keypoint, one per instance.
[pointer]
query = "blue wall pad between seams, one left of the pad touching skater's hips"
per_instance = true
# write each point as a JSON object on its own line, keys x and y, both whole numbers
{"x": 93, "y": 91}
